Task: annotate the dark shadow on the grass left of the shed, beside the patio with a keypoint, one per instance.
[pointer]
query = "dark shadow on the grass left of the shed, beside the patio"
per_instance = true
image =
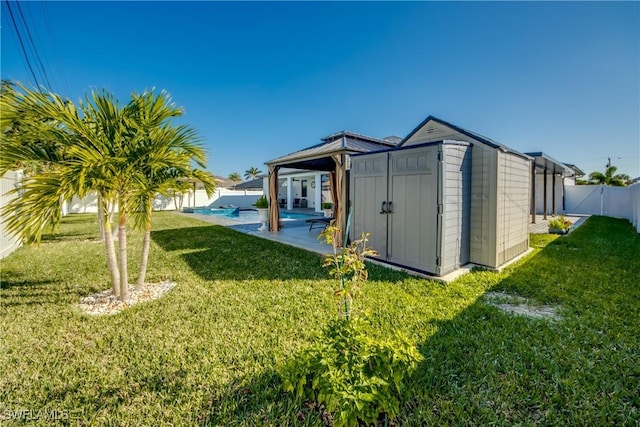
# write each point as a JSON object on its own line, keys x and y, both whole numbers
{"x": 218, "y": 253}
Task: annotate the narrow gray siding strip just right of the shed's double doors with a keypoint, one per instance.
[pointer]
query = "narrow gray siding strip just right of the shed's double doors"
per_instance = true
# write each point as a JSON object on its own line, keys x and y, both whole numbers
{"x": 456, "y": 206}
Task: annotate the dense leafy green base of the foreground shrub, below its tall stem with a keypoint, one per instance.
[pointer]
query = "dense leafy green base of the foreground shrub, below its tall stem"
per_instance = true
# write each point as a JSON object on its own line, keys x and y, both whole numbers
{"x": 355, "y": 376}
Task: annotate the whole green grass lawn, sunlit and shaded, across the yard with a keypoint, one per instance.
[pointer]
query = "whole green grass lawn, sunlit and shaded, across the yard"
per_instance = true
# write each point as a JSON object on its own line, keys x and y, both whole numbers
{"x": 206, "y": 353}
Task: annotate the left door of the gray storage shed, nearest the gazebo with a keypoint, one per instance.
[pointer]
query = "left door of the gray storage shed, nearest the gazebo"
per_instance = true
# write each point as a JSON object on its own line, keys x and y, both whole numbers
{"x": 369, "y": 191}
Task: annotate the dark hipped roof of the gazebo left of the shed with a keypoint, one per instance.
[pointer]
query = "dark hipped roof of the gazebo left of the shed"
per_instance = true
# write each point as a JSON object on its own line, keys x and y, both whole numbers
{"x": 318, "y": 157}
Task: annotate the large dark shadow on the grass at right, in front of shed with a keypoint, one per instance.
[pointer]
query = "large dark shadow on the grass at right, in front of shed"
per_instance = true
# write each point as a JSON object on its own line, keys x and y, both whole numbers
{"x": 488, "y": 367}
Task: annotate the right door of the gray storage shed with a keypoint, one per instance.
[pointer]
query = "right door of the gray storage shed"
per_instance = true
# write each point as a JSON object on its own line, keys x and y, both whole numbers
{"x": 413, "y": 223}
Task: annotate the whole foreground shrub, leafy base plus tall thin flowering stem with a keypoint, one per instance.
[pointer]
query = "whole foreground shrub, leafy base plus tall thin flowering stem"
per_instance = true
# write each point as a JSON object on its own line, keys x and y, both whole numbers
{"x": 355, "y": 376}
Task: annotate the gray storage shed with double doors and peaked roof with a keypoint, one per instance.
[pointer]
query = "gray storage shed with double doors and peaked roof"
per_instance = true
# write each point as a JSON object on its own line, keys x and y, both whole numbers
{"x": 444, "y": 198}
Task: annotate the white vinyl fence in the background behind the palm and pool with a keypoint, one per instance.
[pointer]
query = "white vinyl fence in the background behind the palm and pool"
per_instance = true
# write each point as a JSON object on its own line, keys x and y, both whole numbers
{"x": 221, "y": 197}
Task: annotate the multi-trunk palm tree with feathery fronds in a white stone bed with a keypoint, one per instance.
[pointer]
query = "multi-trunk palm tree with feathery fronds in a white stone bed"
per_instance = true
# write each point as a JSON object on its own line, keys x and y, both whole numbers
{"x": 124, "y": 154}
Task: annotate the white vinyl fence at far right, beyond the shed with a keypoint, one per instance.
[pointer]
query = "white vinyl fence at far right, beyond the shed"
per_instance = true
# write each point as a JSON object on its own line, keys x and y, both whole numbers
{"x": 618, "y": 202}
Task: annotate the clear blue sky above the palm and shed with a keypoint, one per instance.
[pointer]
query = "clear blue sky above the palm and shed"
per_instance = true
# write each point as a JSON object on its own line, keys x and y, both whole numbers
{"x": 259, "y": 80}
